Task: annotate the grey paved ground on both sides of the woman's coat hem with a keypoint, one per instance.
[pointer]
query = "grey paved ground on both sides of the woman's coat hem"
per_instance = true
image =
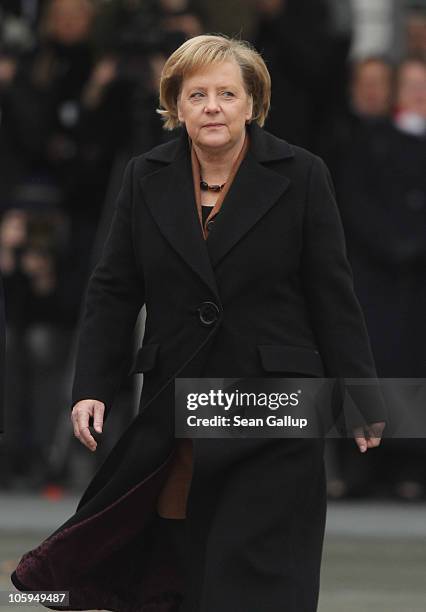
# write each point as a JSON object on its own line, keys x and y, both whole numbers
{"x": 374, "y": 555}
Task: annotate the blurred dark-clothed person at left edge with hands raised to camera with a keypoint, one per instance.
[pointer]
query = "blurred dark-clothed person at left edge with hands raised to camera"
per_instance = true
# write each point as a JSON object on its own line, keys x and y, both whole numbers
{"x": 38, "y": 291}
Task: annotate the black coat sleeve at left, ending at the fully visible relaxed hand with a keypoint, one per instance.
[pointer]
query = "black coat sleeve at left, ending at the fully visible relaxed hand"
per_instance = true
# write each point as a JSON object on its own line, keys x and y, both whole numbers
{"x": 114, "y": 297}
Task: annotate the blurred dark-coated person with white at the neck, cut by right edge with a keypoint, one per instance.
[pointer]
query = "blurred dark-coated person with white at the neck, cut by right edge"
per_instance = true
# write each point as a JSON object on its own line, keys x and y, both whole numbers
{"x": 407, "y": 148}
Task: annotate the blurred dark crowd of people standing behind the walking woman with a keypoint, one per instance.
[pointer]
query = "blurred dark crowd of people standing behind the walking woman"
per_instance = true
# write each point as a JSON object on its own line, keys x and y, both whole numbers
{"x": 78, "y": 93}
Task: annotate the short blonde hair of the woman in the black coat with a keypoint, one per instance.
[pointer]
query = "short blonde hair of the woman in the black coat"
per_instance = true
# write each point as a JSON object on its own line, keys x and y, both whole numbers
{"x": 200, "y": 51}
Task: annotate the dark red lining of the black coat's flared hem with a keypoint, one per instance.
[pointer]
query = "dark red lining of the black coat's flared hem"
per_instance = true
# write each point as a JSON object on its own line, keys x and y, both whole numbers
{"x": 112, "y": 561}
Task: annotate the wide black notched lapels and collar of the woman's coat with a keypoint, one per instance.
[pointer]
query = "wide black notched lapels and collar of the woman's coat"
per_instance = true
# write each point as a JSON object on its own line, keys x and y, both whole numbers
{"x": 169, "y": 193}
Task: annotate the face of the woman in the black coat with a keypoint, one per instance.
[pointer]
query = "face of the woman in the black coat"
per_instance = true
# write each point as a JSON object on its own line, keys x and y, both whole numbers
{"x": 214, "y": 106}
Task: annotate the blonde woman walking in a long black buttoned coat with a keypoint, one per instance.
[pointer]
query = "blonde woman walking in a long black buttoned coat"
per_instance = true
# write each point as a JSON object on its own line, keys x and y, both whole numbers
{"x": 257, "y": 285}
